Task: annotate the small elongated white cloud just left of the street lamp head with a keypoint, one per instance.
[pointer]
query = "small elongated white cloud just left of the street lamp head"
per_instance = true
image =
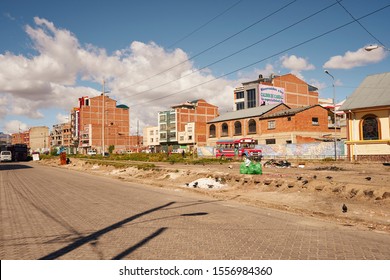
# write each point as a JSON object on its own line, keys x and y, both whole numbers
{"x": 355, "y": 59}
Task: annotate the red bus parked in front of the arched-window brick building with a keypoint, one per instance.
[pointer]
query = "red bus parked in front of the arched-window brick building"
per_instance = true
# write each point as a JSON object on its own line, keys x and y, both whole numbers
{"x": 242, "y": 148}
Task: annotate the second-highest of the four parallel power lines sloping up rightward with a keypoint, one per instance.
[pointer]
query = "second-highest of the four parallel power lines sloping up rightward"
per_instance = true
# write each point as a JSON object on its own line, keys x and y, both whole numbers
{"x": 213, "y": 46}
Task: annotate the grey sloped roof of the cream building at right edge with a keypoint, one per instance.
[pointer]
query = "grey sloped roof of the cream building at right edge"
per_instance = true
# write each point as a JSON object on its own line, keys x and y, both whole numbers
{"x": 374, "y": 91}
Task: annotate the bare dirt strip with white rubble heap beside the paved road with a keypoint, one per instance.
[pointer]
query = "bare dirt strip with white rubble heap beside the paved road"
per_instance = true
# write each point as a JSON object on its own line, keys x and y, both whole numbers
{"x": 317, "y": 189}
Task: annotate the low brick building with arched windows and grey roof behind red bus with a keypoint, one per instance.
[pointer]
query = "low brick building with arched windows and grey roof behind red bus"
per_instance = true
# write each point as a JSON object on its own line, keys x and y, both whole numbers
{"x": 272, "y": 124}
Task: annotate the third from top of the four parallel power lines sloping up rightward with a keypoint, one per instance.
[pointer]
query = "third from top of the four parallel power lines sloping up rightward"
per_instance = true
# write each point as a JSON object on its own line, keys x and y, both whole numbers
{"x": 239, "y": 51}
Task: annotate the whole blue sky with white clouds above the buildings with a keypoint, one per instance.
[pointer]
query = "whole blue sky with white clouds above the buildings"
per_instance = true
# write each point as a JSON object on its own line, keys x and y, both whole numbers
{"x": 154, "y": 54}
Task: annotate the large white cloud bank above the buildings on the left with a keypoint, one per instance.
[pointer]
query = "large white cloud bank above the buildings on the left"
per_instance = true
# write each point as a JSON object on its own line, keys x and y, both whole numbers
{"x": 50, "y": 78}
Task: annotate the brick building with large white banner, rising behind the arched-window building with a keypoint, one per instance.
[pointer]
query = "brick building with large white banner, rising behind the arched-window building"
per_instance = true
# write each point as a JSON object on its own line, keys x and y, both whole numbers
{"x": 287, "y": 89}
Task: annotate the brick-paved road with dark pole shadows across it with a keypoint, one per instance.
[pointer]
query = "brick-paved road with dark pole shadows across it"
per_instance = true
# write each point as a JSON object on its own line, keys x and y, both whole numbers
{"x": 53, "y": 213}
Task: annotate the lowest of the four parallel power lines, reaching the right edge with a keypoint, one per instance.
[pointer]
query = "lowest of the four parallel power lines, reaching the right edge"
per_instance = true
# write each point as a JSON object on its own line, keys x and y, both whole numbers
{"x": 269, "y": 57}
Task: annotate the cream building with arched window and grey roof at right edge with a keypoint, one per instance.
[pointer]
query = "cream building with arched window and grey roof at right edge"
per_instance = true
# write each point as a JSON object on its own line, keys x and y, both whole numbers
{"x": 368, "y": 119}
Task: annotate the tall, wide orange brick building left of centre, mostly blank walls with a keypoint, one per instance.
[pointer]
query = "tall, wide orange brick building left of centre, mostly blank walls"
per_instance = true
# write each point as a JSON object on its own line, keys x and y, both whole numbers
{"x": 89, "y": 123}
